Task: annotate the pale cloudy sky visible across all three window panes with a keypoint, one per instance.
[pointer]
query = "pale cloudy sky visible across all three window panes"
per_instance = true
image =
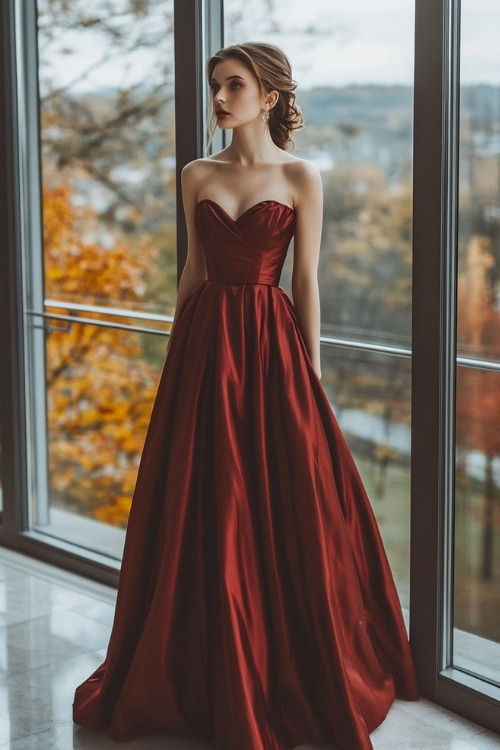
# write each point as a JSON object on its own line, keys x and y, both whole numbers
{"x": 330, "y": 42}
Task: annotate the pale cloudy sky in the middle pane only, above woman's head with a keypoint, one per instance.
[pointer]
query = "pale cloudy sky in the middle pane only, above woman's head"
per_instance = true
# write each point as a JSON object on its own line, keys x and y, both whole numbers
{"x": 360, "y": 41}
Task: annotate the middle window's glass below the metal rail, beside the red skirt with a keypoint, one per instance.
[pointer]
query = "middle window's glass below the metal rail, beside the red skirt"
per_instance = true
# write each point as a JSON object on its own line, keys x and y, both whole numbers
{"x": 370, "y": 396}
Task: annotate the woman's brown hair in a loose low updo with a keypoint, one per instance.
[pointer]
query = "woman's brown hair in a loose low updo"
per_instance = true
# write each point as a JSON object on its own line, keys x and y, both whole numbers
{"x": 272, "y": 69}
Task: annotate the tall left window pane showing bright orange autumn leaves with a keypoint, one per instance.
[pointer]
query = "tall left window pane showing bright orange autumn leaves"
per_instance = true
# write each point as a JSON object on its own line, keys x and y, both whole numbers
{"x": 109, "y": 245}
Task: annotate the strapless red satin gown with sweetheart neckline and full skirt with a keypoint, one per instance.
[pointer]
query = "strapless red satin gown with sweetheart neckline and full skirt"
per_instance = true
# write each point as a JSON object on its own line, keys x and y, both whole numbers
{"x": 256, "y": 608}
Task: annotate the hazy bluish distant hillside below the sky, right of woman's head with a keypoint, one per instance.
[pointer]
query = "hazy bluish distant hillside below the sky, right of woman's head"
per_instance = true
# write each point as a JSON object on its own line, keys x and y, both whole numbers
{"x": 374, "y": 124}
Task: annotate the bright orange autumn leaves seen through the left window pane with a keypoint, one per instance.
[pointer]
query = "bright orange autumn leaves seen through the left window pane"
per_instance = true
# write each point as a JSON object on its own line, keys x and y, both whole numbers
{"x": 100, "y": 386}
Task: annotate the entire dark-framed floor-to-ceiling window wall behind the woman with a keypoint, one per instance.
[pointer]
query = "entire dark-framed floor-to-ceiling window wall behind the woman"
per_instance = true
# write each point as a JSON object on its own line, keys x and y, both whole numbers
{"x": 92, "y": 242}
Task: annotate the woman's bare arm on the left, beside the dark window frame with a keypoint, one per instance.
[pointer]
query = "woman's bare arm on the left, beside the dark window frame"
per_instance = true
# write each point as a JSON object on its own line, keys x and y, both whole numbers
{"x": 195, "y": 269}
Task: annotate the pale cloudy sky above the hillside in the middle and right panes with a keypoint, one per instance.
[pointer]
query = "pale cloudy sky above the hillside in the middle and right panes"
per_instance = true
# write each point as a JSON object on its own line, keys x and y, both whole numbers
{"x": 367, "y": 41}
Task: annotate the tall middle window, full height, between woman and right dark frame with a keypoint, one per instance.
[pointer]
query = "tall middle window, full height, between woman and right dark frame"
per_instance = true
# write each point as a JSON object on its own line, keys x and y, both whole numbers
{"x": 357, "y": 106}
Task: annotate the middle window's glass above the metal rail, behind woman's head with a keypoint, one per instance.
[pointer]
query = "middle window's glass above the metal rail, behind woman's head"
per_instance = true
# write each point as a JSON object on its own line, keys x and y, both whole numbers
{"x": 354, "y": 66}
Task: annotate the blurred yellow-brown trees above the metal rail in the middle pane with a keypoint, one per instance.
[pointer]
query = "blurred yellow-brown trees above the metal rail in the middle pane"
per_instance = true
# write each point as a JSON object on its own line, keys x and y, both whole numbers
{"x": 368, "y": 269}
